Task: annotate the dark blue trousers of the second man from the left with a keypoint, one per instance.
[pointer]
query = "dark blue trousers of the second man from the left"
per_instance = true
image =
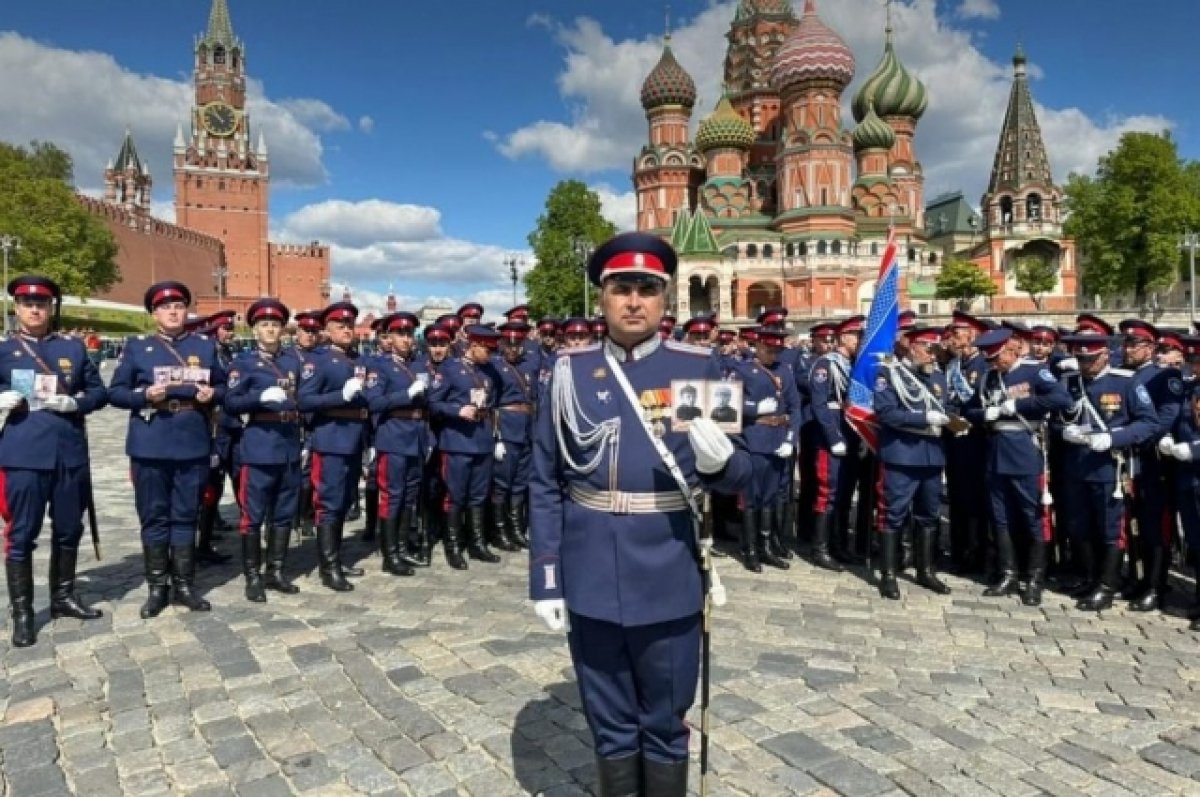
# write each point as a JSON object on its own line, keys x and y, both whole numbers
{"x": 167, "y": 494}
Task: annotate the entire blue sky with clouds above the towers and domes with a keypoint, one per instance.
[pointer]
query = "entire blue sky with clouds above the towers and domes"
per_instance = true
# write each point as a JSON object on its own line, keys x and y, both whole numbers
{"x": 422, "y": 139}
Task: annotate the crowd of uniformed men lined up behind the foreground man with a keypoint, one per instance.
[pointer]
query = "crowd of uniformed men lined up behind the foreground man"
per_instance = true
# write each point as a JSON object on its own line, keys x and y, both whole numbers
{"x": 1055, "y": 463}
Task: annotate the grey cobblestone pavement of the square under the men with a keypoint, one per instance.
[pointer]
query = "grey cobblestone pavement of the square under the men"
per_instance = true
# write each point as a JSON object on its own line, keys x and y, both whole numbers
{"x": 447, "y": 685}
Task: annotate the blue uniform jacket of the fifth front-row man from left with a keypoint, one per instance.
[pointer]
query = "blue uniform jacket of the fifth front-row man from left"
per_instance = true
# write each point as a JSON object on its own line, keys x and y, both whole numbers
{"x": 389, "y": 377}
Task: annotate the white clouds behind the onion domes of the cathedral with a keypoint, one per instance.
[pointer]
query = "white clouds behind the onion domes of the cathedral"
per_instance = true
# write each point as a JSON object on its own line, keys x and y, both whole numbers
{"x": 605, "y": 125}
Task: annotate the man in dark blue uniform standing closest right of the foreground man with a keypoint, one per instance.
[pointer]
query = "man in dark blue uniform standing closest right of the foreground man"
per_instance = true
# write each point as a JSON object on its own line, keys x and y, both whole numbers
{"x": 772, "y": 409}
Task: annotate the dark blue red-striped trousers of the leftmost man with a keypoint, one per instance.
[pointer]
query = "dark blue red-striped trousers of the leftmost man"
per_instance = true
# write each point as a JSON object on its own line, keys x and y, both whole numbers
{"x": 23, "y": 499}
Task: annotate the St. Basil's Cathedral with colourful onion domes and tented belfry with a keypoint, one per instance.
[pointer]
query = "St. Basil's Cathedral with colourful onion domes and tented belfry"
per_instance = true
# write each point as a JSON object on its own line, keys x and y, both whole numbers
{"x": 776, "y": 202}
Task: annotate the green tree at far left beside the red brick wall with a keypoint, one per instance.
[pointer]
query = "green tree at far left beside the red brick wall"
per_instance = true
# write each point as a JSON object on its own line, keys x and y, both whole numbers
{"x": 59, "y": 238}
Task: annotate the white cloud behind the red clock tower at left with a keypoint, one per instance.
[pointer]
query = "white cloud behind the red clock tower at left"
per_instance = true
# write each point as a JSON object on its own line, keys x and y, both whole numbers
{"x": 85, "y": 100}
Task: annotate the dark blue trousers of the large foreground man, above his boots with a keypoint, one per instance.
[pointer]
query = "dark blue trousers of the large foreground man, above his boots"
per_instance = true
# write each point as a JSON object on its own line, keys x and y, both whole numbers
{"x": 638, "y": 684}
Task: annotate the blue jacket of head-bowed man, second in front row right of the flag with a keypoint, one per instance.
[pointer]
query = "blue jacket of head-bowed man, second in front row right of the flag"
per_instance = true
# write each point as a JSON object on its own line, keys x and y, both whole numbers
{"x": 1037, "y": 393}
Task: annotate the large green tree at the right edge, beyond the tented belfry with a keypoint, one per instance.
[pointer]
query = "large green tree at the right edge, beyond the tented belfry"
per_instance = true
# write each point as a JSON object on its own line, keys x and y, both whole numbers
{"x": 1129, "y": 219}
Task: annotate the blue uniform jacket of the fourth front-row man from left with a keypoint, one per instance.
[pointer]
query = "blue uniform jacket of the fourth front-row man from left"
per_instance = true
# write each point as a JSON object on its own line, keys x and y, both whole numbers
{"x": 322, "y": 379}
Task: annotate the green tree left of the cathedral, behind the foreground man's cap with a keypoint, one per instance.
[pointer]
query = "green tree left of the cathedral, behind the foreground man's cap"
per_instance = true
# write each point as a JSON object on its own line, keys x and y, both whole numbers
{"x": 556, "y": 284}
